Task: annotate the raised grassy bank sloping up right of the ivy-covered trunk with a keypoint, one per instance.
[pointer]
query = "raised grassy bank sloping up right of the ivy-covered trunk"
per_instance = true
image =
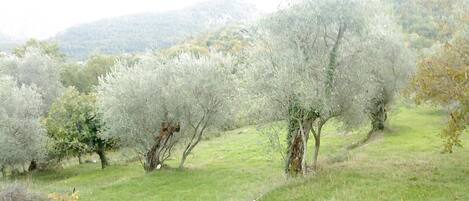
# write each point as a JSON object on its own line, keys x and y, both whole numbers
{"x": 404, "y": 163}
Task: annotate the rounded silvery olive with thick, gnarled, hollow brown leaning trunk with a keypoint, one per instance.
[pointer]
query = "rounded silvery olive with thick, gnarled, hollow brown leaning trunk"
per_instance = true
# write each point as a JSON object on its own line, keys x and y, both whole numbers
{"x": 141, "y": 110}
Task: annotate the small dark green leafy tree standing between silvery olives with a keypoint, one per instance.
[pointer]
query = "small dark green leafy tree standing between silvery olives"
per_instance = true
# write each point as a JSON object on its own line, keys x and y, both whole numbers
{"x": 75, "y": 127}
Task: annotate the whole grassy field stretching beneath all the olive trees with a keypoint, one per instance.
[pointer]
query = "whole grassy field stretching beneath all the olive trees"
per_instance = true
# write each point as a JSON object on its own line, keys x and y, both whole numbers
{"x": 403, "y": 163}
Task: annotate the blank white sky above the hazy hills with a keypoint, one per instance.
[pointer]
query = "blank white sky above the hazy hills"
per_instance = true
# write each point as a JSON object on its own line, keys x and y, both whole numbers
{"x": 44, "y": 18}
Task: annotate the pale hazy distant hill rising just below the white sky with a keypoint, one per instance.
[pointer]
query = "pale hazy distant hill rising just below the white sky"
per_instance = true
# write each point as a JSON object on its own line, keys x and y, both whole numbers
{"x": 137, "y": 33}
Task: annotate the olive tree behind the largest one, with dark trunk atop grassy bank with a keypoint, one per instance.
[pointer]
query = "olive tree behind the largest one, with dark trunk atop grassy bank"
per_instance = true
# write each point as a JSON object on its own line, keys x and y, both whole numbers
{"x": 389, "y": 72}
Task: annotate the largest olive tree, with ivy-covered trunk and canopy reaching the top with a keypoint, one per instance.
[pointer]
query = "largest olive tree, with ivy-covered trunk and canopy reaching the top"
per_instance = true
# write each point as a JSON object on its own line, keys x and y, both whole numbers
{"x": 312, "y": 66}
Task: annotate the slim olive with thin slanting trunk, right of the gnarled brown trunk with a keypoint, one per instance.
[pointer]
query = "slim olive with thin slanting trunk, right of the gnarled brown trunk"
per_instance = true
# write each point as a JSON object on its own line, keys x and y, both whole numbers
{"x": 206, "y": 88}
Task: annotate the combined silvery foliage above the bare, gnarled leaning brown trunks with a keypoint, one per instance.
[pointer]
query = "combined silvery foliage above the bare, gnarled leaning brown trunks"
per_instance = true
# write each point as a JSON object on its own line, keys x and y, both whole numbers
{"x": 194, "y": 91}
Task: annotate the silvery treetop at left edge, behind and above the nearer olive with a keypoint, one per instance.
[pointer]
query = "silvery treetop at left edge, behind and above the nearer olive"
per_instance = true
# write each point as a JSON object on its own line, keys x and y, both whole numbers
{"x": 35, "y": 69}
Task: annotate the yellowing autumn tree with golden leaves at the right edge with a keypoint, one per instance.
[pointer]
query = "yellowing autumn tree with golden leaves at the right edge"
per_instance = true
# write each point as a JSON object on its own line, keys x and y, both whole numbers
{"x": 442, "y": 79}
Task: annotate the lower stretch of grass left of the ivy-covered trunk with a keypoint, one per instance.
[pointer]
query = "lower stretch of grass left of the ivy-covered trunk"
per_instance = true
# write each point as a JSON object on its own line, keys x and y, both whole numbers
{"x": 231, "y": 167}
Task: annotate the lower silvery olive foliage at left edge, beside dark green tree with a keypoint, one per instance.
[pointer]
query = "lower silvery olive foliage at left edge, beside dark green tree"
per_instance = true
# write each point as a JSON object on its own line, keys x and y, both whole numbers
{"x": 22, "y": 138}
